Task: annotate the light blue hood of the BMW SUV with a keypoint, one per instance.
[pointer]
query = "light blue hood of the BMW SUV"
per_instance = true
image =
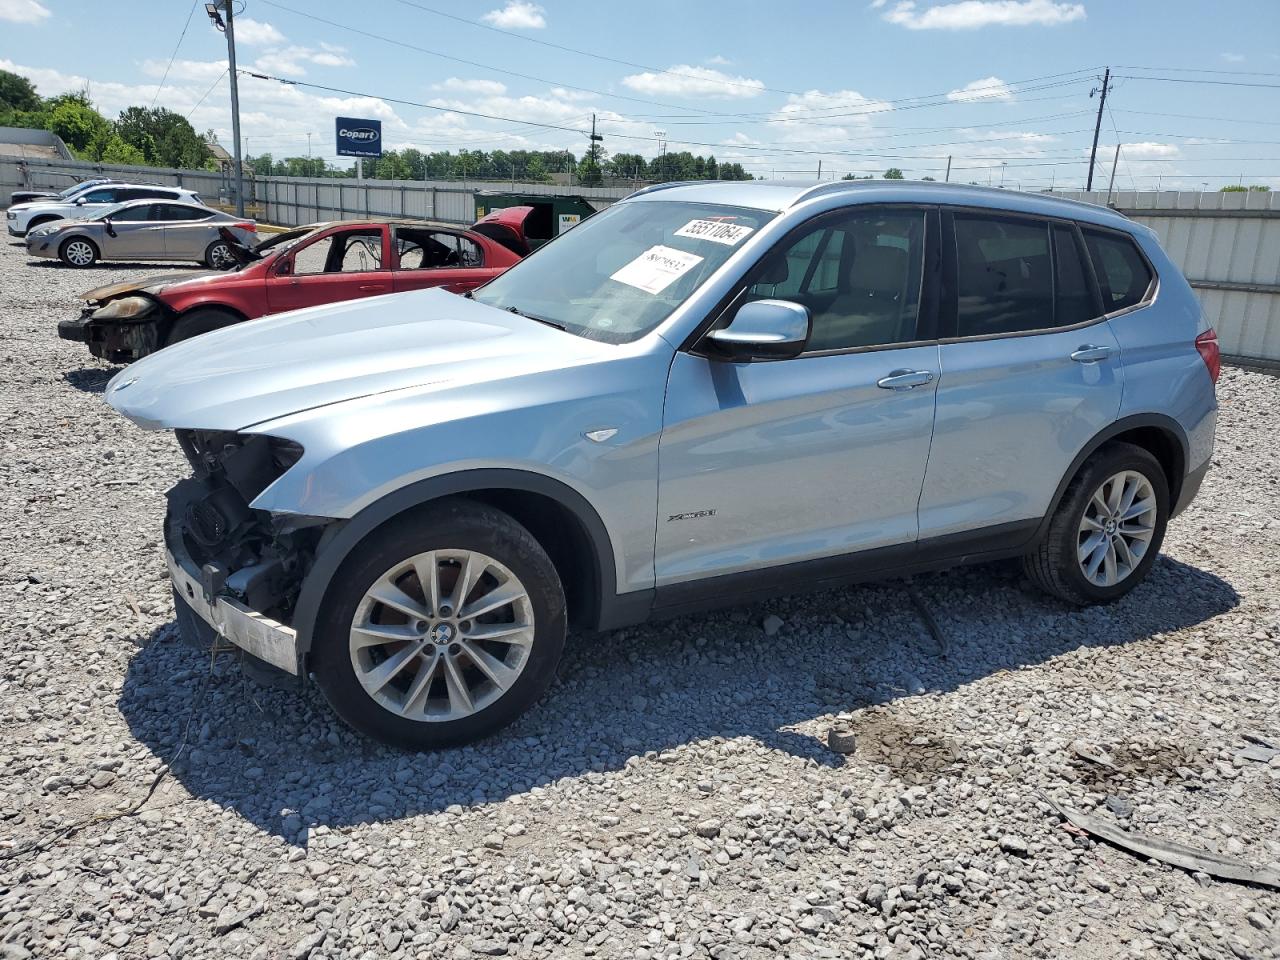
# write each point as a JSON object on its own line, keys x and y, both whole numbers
{"x": 260, "y": 371}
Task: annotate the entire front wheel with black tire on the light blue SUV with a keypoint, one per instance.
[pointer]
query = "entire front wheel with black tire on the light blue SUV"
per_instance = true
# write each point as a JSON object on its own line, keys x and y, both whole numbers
{"x": 418, "y": 706}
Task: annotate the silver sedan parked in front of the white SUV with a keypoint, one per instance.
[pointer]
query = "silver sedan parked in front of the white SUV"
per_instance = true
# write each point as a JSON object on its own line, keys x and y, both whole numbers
{"x": 144, "y": 230}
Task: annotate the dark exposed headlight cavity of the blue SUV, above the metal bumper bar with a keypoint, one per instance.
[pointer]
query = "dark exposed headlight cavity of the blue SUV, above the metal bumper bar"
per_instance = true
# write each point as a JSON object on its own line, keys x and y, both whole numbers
{"x": 255, "y": 557}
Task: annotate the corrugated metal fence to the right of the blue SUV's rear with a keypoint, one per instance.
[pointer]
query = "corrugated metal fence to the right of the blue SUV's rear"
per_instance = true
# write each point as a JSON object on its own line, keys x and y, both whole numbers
{"x": 1228, "y": 246}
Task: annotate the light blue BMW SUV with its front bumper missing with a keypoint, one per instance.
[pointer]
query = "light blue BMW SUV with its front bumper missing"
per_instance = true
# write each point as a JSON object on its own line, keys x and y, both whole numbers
{"x": 702, "y": 395}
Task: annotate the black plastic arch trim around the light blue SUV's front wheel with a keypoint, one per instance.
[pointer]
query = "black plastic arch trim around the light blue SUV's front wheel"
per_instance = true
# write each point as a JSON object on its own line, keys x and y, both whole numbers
{"x": 607, "y": 609}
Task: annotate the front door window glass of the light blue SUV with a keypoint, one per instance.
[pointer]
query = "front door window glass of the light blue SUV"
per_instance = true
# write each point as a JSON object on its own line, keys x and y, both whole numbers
{"x": 860, "y": 276}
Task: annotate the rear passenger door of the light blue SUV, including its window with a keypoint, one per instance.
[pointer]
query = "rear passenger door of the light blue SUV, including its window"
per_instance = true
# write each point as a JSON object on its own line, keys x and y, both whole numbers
{"x": 1031, "y": 373}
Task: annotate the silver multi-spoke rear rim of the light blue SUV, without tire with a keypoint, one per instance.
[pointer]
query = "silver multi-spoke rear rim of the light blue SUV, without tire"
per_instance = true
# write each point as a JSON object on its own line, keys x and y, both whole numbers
{"x": 1117, "y": 529}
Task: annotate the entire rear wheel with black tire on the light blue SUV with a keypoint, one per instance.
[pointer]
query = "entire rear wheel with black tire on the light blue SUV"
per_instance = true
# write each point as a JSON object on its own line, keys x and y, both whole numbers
{"x": 1057, "y": 564}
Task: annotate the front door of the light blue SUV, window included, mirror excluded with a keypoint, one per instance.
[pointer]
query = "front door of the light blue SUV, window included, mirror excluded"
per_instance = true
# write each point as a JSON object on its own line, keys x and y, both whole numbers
{"x": 769, "y": 464}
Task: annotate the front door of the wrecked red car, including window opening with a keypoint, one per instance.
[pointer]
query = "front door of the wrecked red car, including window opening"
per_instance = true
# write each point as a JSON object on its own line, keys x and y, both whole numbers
{"x": 344, "y": 263}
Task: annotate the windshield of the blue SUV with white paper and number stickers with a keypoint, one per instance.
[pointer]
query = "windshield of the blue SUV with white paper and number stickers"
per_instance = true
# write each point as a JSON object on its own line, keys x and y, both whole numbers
{"x": 623, "y": 272}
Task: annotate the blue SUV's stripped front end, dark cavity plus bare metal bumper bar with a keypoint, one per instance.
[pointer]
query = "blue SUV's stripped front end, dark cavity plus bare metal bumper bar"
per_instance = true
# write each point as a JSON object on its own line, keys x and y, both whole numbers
{"x": 240, "y": 569}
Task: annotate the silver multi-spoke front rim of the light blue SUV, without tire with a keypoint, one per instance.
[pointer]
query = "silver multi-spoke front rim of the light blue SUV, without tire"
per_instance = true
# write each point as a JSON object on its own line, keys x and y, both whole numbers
{"x": 442, "y": 636}
